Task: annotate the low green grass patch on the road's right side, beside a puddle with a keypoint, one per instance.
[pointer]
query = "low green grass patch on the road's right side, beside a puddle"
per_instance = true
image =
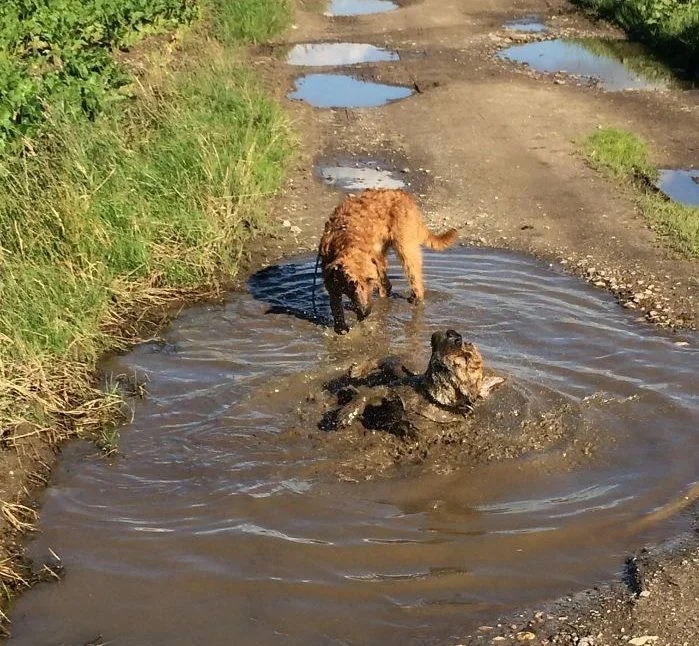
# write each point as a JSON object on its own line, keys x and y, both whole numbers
{"x": 624, "y": 157}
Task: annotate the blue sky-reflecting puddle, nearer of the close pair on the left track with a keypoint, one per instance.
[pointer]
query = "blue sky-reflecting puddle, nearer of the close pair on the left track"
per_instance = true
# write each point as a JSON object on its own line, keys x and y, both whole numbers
{"x": 342, "y": 91}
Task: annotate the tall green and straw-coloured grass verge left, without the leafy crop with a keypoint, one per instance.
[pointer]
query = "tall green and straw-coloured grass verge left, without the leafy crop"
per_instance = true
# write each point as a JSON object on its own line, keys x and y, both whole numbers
{"x": 151, "y": 198}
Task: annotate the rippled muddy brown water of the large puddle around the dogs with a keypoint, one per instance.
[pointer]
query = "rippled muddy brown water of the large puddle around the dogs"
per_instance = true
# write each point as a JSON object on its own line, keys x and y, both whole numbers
{"x": 209, "y": 529}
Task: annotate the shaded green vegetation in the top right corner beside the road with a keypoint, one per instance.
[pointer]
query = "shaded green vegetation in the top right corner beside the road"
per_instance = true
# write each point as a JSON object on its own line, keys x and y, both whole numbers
{"x": 670, "y": 28}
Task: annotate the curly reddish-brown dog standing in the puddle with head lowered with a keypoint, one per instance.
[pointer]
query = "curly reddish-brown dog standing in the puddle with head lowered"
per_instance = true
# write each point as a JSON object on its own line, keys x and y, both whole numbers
{"x": 357, "y": 238}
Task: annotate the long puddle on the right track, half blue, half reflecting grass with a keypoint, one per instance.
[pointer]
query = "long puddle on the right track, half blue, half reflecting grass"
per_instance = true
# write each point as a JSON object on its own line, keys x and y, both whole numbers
{"x": 615, "y": 65}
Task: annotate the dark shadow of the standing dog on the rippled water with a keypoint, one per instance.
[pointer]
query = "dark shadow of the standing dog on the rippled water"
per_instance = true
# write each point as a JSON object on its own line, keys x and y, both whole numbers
{"x": 291, "y": 289}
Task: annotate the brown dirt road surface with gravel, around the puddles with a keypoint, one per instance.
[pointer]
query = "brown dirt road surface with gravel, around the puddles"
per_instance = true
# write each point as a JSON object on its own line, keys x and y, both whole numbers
{"x": 490, "y": 148}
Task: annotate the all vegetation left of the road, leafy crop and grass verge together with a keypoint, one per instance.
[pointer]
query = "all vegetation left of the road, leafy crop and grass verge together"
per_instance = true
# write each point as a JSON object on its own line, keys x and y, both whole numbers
{"x": 137, "y": 155}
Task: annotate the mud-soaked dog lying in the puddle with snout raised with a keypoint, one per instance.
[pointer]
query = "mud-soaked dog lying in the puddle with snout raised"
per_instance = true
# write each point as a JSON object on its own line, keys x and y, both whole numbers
{"x": 389, "y": 398}
